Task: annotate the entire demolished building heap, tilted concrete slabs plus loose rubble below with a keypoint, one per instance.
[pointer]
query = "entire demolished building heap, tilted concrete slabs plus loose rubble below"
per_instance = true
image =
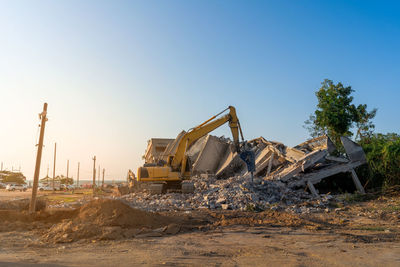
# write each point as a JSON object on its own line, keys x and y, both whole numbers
{"x": 282, "y": 174}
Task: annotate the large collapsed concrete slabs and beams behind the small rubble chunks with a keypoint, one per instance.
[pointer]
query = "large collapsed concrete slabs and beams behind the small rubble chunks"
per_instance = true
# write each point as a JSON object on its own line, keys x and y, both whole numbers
{"x": 301, "y": 166}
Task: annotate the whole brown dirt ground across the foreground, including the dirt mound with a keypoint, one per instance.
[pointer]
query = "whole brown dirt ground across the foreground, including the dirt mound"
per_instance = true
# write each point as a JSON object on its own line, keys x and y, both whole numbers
{"x": 362, "y": 233}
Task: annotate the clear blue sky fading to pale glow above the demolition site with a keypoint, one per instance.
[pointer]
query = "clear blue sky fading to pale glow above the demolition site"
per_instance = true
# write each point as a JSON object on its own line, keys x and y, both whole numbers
{"x": 116, "y": 73}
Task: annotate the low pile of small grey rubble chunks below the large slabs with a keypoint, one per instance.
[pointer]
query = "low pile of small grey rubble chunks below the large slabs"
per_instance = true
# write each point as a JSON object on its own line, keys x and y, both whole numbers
{"x": 236, "y": 193}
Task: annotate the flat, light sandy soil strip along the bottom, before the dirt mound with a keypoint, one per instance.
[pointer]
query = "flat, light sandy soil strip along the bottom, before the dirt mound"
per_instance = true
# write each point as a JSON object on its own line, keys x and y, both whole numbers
{"x": 231, "y": 246}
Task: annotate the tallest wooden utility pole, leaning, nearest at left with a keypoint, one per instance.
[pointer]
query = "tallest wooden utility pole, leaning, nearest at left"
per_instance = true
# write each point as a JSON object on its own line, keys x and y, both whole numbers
{"x": 42, "y": 116}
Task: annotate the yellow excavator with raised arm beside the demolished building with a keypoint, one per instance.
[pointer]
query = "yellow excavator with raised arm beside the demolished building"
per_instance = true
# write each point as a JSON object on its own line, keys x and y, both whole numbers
{"x": 169, "y": 174}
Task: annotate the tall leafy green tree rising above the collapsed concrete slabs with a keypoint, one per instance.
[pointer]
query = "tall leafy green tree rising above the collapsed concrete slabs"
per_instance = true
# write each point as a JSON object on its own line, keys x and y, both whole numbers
{"x": 335, "y": 115}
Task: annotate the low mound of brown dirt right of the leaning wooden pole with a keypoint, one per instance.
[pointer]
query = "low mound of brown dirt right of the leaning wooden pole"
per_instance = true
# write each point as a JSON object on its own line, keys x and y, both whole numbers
{"x": 107, "y": 219}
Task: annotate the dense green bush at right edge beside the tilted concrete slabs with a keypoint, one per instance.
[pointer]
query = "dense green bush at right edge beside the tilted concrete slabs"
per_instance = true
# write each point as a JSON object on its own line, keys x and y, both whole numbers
{"x": 383, "y": 156}
